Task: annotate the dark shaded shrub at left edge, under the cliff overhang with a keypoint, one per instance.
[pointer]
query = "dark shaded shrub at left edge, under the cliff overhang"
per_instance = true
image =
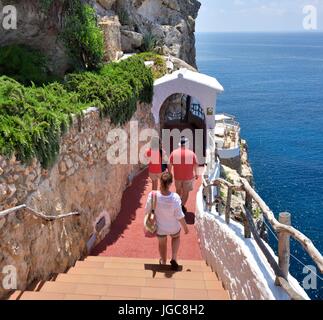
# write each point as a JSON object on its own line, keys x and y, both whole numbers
{"x": 24, "y": 64}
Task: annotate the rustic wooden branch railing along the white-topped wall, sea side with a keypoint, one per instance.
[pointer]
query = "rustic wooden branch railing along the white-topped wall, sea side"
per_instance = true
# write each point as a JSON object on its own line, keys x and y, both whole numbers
{"x": 282, "y": 228}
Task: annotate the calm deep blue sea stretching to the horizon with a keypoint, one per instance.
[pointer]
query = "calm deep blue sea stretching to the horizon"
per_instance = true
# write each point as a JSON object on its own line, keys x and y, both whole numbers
{"x": 274, "y": 86}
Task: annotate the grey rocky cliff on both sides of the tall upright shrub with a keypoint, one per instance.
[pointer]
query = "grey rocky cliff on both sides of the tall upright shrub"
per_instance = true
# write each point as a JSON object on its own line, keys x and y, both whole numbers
{"x": 125, "y": 24}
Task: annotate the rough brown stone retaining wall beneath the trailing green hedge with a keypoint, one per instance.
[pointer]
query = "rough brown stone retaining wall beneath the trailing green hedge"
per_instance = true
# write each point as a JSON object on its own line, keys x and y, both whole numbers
{"x": 82, "y": 180}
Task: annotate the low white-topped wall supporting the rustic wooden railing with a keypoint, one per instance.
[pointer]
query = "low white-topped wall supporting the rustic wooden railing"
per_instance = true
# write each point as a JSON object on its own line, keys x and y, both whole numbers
{"x": 239, "y": 262}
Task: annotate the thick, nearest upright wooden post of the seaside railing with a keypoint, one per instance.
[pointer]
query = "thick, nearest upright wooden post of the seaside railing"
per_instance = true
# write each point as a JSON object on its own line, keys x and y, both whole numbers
{"x": 284, "y": 244}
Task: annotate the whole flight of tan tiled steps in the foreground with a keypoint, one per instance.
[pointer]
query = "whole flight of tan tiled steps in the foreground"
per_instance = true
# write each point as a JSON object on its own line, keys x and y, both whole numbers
{"x": 106, "y": 278}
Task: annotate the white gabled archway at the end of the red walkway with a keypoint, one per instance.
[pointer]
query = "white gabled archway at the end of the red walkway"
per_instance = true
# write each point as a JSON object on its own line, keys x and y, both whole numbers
{"x": 204, "y": 88}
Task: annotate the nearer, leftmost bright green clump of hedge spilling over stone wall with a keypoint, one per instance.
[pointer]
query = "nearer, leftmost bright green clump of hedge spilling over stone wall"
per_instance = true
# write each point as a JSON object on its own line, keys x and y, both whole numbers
{"x": 33, "y": 119}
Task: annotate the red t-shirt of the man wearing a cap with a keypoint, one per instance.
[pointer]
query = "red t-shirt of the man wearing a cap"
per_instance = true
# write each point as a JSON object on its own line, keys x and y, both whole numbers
{"x": 184, "y": 161}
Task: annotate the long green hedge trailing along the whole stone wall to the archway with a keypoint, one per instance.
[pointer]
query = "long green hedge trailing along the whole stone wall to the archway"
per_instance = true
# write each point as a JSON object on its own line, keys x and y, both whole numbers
{"x": 32, "y": 119}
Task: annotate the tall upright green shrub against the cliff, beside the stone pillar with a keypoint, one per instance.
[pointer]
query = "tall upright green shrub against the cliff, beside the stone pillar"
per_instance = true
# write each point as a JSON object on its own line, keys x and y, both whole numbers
{"x": 82, "y": 36}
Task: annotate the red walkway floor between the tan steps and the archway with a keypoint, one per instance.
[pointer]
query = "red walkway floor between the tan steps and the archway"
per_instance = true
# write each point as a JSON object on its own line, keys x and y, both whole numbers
{"x": 127, "y": 239}
